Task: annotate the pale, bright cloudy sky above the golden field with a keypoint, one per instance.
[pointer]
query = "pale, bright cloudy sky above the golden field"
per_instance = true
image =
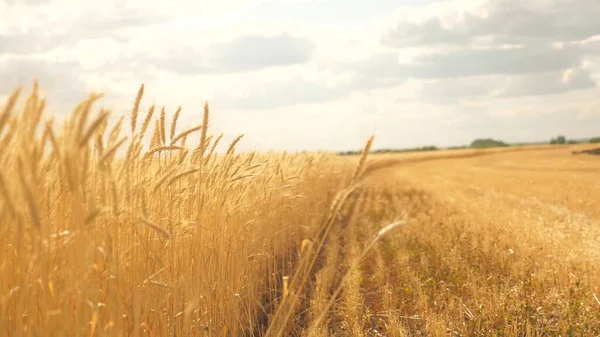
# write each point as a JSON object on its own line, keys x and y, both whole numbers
{"x": 320, "y": 74}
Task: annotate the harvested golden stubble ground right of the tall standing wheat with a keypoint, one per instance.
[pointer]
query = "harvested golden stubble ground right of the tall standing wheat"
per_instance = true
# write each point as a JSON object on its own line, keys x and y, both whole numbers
{"x": 507, "y": 245}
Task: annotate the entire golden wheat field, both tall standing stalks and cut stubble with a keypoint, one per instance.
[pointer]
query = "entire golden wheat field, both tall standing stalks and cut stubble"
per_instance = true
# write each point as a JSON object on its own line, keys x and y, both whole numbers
{"x": 142, "y": 228}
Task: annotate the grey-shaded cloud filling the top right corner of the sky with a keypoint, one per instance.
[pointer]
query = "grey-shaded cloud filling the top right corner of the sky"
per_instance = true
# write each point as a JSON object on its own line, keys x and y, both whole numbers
{"x": 508, "y": 21}
